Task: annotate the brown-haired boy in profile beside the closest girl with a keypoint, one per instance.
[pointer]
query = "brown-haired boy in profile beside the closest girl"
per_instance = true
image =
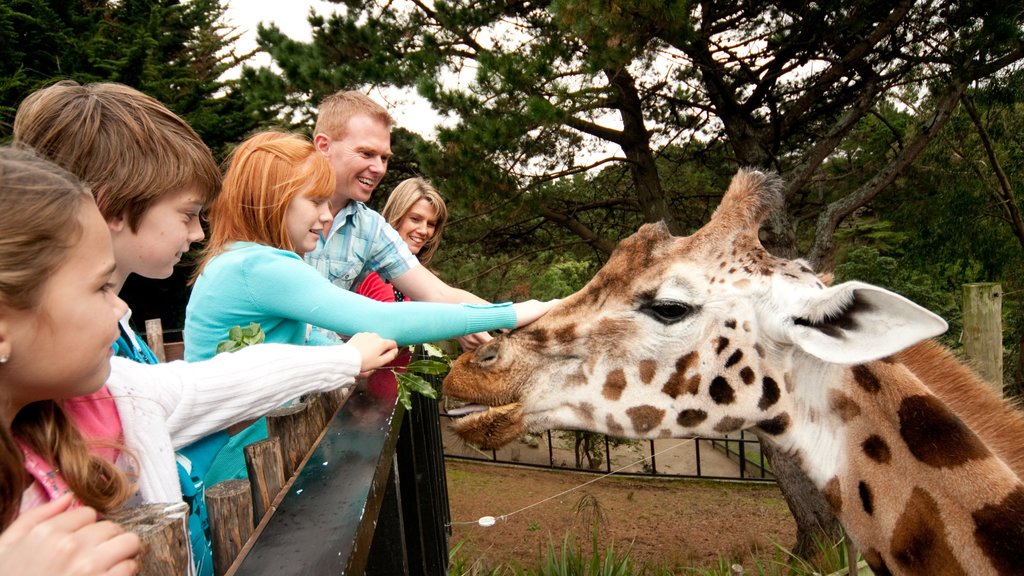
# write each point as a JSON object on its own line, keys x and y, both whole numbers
{"x": 152, "y": 176}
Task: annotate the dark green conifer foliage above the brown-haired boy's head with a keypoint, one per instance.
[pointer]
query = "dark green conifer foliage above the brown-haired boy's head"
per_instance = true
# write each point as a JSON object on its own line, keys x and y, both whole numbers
{"x": 177, "y": 52}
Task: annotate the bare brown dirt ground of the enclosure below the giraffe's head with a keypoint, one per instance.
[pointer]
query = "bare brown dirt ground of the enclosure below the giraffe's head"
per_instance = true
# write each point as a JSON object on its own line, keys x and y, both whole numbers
{"x": 676, "y": 524}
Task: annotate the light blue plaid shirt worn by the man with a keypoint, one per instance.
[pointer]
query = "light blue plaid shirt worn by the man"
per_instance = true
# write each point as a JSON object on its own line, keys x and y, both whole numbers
{"x": 361, "y": 241}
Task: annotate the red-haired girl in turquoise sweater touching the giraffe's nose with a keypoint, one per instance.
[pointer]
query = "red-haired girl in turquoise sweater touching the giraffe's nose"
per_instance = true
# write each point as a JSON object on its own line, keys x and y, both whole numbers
{"x": 272, "y": 210}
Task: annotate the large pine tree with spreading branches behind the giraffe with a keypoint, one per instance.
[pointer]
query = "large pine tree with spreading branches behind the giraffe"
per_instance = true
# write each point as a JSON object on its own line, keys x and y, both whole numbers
{"x": 782, "y": 84}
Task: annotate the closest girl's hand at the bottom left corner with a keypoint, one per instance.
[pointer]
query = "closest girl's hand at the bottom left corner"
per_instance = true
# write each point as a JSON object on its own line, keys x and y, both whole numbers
{"x": 53, "y": 541}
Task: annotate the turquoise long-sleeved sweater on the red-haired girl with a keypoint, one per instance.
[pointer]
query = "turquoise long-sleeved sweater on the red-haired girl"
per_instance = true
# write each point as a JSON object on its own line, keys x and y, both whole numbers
{"x": 282, "y": 294}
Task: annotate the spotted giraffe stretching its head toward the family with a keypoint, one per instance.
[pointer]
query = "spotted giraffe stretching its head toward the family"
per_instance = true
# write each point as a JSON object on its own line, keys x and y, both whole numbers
{"x": 682, "y": 337}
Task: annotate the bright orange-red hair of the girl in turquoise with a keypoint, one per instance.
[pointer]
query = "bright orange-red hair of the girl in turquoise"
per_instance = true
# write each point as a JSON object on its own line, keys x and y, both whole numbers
{"x": 264, "y": 175}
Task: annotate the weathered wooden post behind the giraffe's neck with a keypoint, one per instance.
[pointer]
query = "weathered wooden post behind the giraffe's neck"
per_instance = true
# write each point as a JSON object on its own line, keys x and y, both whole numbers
{"x": 984, "y": 331}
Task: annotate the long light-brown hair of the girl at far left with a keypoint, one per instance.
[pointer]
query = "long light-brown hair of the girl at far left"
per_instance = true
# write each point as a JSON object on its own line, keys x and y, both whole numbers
{"x": 40, "y": 204}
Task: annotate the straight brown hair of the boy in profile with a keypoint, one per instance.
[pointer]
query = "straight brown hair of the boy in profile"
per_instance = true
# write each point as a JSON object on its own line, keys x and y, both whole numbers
{"x": 126, "y": 146}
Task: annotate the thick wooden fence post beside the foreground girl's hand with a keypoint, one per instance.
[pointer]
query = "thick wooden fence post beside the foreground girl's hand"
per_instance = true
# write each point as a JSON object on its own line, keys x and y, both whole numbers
{"x": 165, "y": 538}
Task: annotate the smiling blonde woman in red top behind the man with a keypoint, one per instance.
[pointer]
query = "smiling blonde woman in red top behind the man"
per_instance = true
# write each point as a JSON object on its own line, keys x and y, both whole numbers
{"x": 418, "y": 214}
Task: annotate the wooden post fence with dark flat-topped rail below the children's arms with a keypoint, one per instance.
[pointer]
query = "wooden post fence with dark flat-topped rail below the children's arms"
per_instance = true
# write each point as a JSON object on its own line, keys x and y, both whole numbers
{"x": 324, "y": 495}
